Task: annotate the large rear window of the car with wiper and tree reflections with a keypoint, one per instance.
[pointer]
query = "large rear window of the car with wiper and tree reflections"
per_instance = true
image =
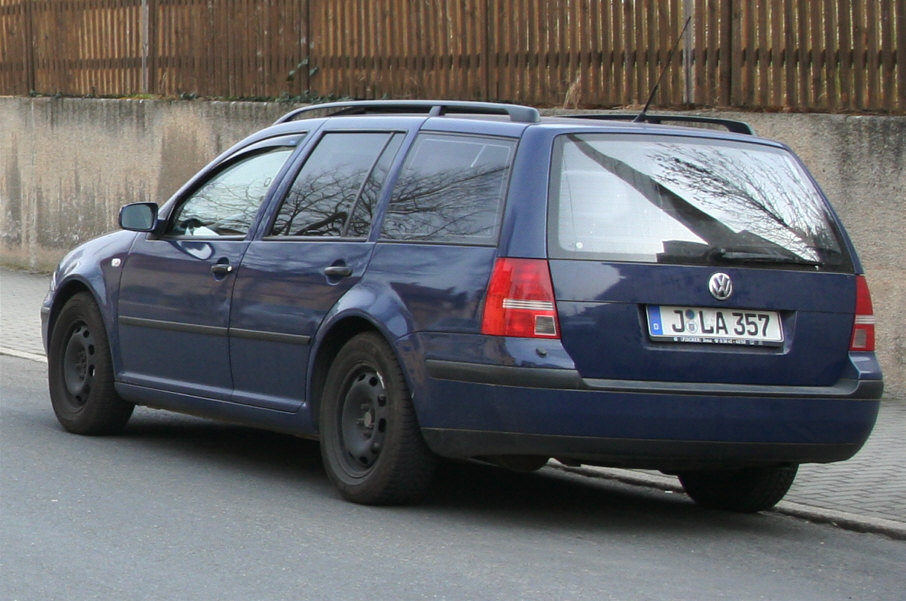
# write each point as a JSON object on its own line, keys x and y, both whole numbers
{"x": 689, "y": 200}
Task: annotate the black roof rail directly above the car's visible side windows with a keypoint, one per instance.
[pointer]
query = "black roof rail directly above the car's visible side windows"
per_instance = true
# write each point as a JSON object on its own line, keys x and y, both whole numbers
{"x": 517, "y": 113}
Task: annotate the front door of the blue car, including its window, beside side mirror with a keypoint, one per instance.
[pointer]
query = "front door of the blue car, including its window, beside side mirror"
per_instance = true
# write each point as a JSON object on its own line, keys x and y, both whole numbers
{"x": 175, "y": 289}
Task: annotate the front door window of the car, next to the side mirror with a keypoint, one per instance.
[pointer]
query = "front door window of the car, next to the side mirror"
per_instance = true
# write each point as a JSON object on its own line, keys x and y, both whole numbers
{"x": 227, "y": 203}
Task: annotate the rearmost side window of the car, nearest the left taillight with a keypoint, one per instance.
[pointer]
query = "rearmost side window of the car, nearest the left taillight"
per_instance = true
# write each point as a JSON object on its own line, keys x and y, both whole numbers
{"x": 450, "y": 189}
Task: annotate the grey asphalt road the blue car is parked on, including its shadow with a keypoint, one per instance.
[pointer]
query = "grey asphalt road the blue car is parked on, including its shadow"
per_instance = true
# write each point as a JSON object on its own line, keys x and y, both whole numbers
{"x": 181, "y": 508}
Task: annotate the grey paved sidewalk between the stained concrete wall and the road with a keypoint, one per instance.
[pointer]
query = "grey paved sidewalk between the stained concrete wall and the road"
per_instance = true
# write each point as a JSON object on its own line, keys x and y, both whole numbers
{"x": 867, "y": 492}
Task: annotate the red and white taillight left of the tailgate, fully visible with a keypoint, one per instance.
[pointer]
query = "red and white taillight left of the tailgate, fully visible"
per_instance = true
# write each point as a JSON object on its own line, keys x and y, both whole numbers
{"x": 520, "y": 300}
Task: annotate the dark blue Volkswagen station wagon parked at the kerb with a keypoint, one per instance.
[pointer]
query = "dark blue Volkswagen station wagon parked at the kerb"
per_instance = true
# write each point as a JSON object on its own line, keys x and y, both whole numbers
{"x": 410, "y": 280}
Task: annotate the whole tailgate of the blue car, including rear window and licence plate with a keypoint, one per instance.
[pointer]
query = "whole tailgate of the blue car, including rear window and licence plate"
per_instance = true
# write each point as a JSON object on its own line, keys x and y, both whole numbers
{"x": 681, "y": 259}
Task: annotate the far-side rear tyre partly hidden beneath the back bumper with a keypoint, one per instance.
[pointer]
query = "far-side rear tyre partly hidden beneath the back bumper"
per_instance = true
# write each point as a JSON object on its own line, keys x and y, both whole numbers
{"x": 745, "y": 490}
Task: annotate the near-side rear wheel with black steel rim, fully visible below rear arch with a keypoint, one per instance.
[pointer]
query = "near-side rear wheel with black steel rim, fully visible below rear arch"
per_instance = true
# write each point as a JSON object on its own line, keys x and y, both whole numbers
{"x": 371, "y": 444}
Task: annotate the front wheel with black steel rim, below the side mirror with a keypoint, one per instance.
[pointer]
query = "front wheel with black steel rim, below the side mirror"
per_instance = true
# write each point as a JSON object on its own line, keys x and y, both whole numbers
{"x": 80, "y": 374}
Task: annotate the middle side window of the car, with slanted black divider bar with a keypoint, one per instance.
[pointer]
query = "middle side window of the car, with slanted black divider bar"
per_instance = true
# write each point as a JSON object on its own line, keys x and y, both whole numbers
{"x": 337, "y": 190}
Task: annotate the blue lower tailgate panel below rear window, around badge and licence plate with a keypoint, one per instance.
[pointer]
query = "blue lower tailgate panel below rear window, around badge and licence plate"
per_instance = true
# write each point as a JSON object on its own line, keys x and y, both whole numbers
{"x": 606, "y": 321}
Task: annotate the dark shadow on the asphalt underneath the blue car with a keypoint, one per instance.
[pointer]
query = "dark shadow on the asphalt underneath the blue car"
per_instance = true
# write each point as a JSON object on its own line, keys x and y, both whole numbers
{"x": 470, "y": 491}
